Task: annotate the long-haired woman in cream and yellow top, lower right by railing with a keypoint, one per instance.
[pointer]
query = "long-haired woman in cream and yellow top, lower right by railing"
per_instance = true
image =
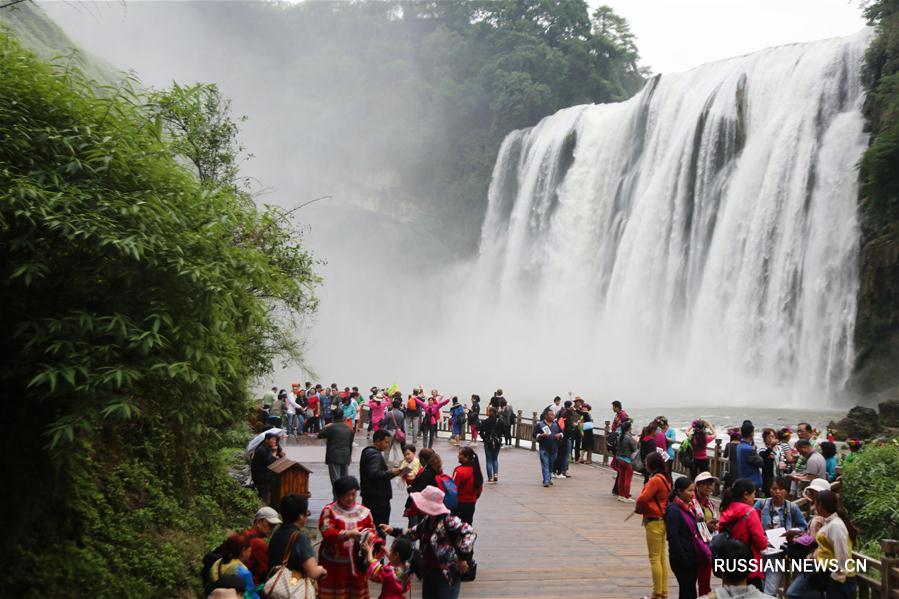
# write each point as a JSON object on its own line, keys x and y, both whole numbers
{"x": 836, "y": 539}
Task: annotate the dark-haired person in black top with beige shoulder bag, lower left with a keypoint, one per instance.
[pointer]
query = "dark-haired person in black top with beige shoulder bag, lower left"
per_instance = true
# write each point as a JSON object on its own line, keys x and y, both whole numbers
{"x": 289, "y": 545}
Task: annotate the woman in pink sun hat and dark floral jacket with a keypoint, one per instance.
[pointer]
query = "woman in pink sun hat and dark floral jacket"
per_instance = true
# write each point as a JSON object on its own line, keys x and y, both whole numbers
{"x": 447, "y": 544}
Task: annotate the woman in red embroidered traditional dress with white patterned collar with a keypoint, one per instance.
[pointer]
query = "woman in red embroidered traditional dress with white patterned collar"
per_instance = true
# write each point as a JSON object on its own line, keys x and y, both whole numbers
{"x": 343, "y": 523}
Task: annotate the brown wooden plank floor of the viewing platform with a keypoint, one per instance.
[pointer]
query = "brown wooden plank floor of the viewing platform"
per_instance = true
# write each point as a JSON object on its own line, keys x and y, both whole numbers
{"x": 568, "y": 540}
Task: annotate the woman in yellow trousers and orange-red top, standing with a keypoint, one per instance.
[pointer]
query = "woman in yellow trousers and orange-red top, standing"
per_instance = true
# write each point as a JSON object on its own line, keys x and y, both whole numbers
{"x": 651, "y": 504}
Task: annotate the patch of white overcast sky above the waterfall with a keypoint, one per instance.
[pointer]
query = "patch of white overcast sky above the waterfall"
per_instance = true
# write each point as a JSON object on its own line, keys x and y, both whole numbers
{"x": 676, "y": 35}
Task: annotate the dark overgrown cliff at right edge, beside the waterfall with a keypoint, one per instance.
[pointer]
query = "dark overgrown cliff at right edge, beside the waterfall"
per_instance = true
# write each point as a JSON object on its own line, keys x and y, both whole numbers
{"x": 877, "y": 329}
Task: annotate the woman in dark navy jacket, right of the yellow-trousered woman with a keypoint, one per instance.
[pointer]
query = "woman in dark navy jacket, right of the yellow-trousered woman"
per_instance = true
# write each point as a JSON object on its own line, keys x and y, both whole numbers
{"x": 687, "y": 551}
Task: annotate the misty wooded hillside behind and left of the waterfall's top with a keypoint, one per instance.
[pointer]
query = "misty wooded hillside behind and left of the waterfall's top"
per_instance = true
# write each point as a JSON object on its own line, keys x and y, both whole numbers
{"x": 403, "y": 105}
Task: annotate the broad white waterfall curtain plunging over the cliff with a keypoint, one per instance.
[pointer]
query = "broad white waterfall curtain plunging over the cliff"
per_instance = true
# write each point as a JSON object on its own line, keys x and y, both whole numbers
{"x": 697, "y": 243}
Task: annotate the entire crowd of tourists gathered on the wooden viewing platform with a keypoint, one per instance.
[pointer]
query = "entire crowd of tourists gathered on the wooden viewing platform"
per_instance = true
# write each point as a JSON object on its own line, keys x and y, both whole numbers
{"x": 757, "y": 519}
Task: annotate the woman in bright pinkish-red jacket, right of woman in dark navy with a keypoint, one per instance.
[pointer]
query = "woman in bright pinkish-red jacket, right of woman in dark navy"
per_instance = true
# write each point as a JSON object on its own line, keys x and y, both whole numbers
{"x": 739, "y": 517}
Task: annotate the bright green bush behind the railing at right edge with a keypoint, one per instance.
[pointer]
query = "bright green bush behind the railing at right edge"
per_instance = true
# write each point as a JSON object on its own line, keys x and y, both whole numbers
{"x": 871, "y": 492}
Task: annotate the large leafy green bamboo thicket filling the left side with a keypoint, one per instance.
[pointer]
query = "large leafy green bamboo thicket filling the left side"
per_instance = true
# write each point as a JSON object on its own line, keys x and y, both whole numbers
{"x": 143, "y": 292}
